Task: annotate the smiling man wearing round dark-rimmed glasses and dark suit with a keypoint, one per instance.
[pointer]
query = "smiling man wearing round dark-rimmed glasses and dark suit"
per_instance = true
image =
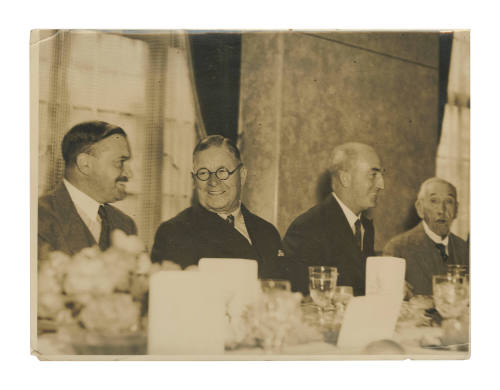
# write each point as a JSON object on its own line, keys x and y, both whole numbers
{"x": 219, "y": 225}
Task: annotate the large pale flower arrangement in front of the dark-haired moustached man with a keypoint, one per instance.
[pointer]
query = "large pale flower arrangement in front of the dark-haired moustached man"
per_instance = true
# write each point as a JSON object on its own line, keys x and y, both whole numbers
{"x": 98, "y": 297}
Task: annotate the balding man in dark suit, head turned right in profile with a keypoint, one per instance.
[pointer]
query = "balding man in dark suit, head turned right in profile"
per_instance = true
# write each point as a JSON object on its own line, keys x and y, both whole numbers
{"x": 336, "y": 232}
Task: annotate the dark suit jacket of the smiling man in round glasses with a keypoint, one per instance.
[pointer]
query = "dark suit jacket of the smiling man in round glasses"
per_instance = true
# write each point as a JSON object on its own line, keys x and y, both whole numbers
{"x": 196, "y": 233}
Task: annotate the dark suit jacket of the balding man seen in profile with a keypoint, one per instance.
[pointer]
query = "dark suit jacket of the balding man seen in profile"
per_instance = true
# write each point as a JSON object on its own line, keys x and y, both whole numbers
{"x": 322, "y": 236}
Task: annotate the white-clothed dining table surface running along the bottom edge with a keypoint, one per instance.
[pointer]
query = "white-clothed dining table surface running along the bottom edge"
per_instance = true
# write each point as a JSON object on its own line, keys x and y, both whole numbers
{"x": 411, "y": 340}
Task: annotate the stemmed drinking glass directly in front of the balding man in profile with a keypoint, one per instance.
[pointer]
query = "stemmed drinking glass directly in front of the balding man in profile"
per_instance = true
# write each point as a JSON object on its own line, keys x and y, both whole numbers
{"x": 322, "y": 283}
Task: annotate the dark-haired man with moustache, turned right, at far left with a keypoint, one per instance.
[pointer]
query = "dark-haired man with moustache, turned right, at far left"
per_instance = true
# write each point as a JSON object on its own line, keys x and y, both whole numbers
{"x": 77, "y": 214}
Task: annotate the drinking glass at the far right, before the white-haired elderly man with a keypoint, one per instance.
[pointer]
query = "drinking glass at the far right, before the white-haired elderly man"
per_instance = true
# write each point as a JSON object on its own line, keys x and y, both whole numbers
{"x": 451, "y": 295}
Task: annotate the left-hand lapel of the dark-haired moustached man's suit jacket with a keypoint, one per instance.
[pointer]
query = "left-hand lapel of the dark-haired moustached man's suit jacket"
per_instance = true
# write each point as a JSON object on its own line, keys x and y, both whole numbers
{"x": 75, "y": 231}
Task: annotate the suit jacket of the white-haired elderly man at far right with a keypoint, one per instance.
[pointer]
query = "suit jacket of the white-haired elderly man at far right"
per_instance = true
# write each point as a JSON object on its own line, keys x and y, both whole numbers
{"x": 423, "y": 258}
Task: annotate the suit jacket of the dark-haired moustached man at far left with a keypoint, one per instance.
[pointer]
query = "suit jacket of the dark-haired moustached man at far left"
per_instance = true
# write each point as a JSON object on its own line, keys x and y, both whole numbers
{"x": 61, "y": 228}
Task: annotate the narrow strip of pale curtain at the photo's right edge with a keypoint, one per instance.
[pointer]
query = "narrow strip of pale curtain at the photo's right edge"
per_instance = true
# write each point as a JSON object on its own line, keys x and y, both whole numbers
{"x": 453, "y": 155}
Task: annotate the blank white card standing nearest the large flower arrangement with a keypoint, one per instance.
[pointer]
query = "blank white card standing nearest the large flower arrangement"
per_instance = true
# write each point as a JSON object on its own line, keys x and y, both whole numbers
{"x": 186, "y": 314}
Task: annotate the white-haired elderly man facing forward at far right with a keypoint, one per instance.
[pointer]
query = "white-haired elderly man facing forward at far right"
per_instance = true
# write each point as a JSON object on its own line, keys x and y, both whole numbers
{"x": 429, "y": 247}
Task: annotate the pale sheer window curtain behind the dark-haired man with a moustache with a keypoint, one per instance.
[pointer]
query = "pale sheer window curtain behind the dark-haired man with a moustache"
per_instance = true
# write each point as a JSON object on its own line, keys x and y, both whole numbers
{"x": 139, "y": 82}
